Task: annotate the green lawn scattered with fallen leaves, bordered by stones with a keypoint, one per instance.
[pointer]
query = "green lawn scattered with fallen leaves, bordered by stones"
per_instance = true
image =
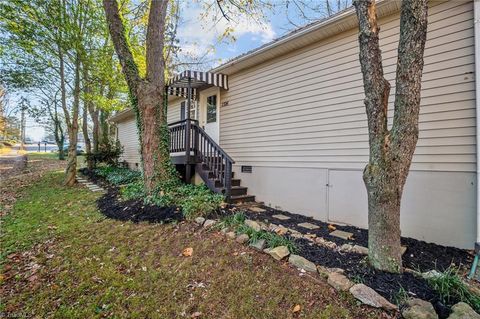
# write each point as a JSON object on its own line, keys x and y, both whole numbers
{"x": 62, "y": 259}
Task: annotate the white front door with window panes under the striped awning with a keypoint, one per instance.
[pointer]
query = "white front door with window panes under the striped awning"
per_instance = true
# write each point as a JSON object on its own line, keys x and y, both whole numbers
{"x": 210, "y": 115}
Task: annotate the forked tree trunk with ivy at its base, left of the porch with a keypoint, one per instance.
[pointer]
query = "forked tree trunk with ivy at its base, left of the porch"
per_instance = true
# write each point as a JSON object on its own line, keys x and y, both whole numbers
{"x": 147, "y": 93}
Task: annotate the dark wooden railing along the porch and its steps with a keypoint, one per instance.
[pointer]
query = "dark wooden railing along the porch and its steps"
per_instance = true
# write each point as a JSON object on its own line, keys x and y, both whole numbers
{"x": 187, "y": 136}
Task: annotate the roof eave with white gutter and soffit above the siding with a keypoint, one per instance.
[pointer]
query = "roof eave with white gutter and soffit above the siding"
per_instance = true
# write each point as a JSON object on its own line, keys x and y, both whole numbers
{"x": 298, "y": 38}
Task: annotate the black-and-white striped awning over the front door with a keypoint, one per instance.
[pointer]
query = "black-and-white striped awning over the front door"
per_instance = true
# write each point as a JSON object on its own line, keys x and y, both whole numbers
{"x": 178, "y": 85}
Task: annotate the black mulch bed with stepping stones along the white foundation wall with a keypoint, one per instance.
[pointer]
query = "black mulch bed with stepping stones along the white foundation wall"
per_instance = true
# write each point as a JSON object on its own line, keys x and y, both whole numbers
{"x": 420, "y": 256}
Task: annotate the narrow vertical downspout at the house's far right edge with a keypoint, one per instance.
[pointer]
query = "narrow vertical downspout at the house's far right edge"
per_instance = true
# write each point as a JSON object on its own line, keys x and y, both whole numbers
{"x": 476, "y": 26}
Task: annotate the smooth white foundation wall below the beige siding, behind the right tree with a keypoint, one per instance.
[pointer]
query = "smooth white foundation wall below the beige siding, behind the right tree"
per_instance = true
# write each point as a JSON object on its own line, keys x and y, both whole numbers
{"x": 436, "y": 207}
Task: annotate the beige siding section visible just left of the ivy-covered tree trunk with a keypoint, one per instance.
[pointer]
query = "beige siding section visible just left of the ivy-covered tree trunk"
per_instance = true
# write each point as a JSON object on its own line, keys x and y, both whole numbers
{"x": 128, "y": 138}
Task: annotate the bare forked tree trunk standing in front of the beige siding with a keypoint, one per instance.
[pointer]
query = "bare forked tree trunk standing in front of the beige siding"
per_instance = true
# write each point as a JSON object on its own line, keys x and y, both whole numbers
{"x": 391, "y": 150}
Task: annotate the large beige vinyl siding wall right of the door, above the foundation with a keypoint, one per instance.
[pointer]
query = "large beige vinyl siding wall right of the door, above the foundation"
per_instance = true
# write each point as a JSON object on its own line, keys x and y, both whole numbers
{"x": 305, "y": 109}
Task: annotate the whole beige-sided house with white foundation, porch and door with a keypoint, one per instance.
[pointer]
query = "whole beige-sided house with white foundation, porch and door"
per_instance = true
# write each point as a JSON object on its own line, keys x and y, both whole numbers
{"x": 291, "y": 119}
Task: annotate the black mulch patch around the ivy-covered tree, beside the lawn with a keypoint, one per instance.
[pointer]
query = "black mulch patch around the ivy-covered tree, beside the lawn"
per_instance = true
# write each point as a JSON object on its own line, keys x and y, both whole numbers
{"x": 136, "y": 211}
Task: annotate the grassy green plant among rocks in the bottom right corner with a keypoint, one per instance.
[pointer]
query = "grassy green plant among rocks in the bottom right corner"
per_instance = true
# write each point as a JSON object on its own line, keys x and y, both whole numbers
{"x": 452, "y": 289}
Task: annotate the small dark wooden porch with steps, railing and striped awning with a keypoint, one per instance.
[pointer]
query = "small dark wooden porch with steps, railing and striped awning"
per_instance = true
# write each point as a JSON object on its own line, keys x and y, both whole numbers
{"x": 192, "y": 149}
